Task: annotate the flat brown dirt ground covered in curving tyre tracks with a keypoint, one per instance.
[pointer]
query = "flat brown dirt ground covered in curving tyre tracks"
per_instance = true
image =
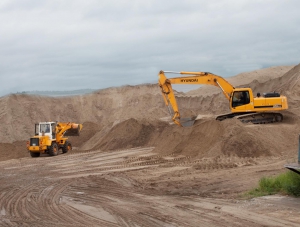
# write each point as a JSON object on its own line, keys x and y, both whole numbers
{"x": 137, "y": 187}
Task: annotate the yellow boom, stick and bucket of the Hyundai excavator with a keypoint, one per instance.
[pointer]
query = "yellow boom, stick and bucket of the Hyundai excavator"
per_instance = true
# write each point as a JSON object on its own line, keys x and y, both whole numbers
{"x": 193, "y": 78}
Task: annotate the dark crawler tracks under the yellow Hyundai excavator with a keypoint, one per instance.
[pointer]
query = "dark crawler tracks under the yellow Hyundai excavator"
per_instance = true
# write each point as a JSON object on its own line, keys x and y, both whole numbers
{"x": 254, "y": 118}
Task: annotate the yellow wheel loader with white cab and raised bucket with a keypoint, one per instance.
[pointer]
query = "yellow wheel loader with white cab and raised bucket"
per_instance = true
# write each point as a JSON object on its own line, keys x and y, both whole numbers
{"x": 51, "y": 136}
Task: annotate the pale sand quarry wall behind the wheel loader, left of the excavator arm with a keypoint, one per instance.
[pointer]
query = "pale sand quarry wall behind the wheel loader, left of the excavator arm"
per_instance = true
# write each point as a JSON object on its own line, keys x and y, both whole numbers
{"x": 19, "y": 112}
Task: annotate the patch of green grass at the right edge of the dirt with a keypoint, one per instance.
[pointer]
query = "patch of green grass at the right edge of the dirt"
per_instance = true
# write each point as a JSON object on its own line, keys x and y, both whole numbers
{"x": 285, "y": 183}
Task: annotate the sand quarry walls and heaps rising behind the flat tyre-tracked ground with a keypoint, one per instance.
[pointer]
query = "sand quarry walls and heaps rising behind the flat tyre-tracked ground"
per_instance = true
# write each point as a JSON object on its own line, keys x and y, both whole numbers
{"x": 131, "y": 116}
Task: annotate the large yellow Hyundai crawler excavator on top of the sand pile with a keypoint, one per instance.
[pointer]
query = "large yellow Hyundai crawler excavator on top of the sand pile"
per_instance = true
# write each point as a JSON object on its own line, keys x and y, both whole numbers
{"x": 242, "y": 103}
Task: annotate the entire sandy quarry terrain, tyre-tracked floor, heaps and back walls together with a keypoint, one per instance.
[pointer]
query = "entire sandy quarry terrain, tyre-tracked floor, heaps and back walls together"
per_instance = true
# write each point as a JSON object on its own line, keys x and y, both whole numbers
{"x": 131, "y": 167}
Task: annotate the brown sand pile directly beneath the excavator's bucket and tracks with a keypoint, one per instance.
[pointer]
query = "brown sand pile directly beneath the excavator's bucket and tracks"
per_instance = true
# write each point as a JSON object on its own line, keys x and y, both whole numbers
{"x": 211, "y": 138}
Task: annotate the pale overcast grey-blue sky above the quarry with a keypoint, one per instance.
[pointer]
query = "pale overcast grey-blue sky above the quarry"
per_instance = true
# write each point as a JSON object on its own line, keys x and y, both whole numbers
{"x": 54, "y": 45}
